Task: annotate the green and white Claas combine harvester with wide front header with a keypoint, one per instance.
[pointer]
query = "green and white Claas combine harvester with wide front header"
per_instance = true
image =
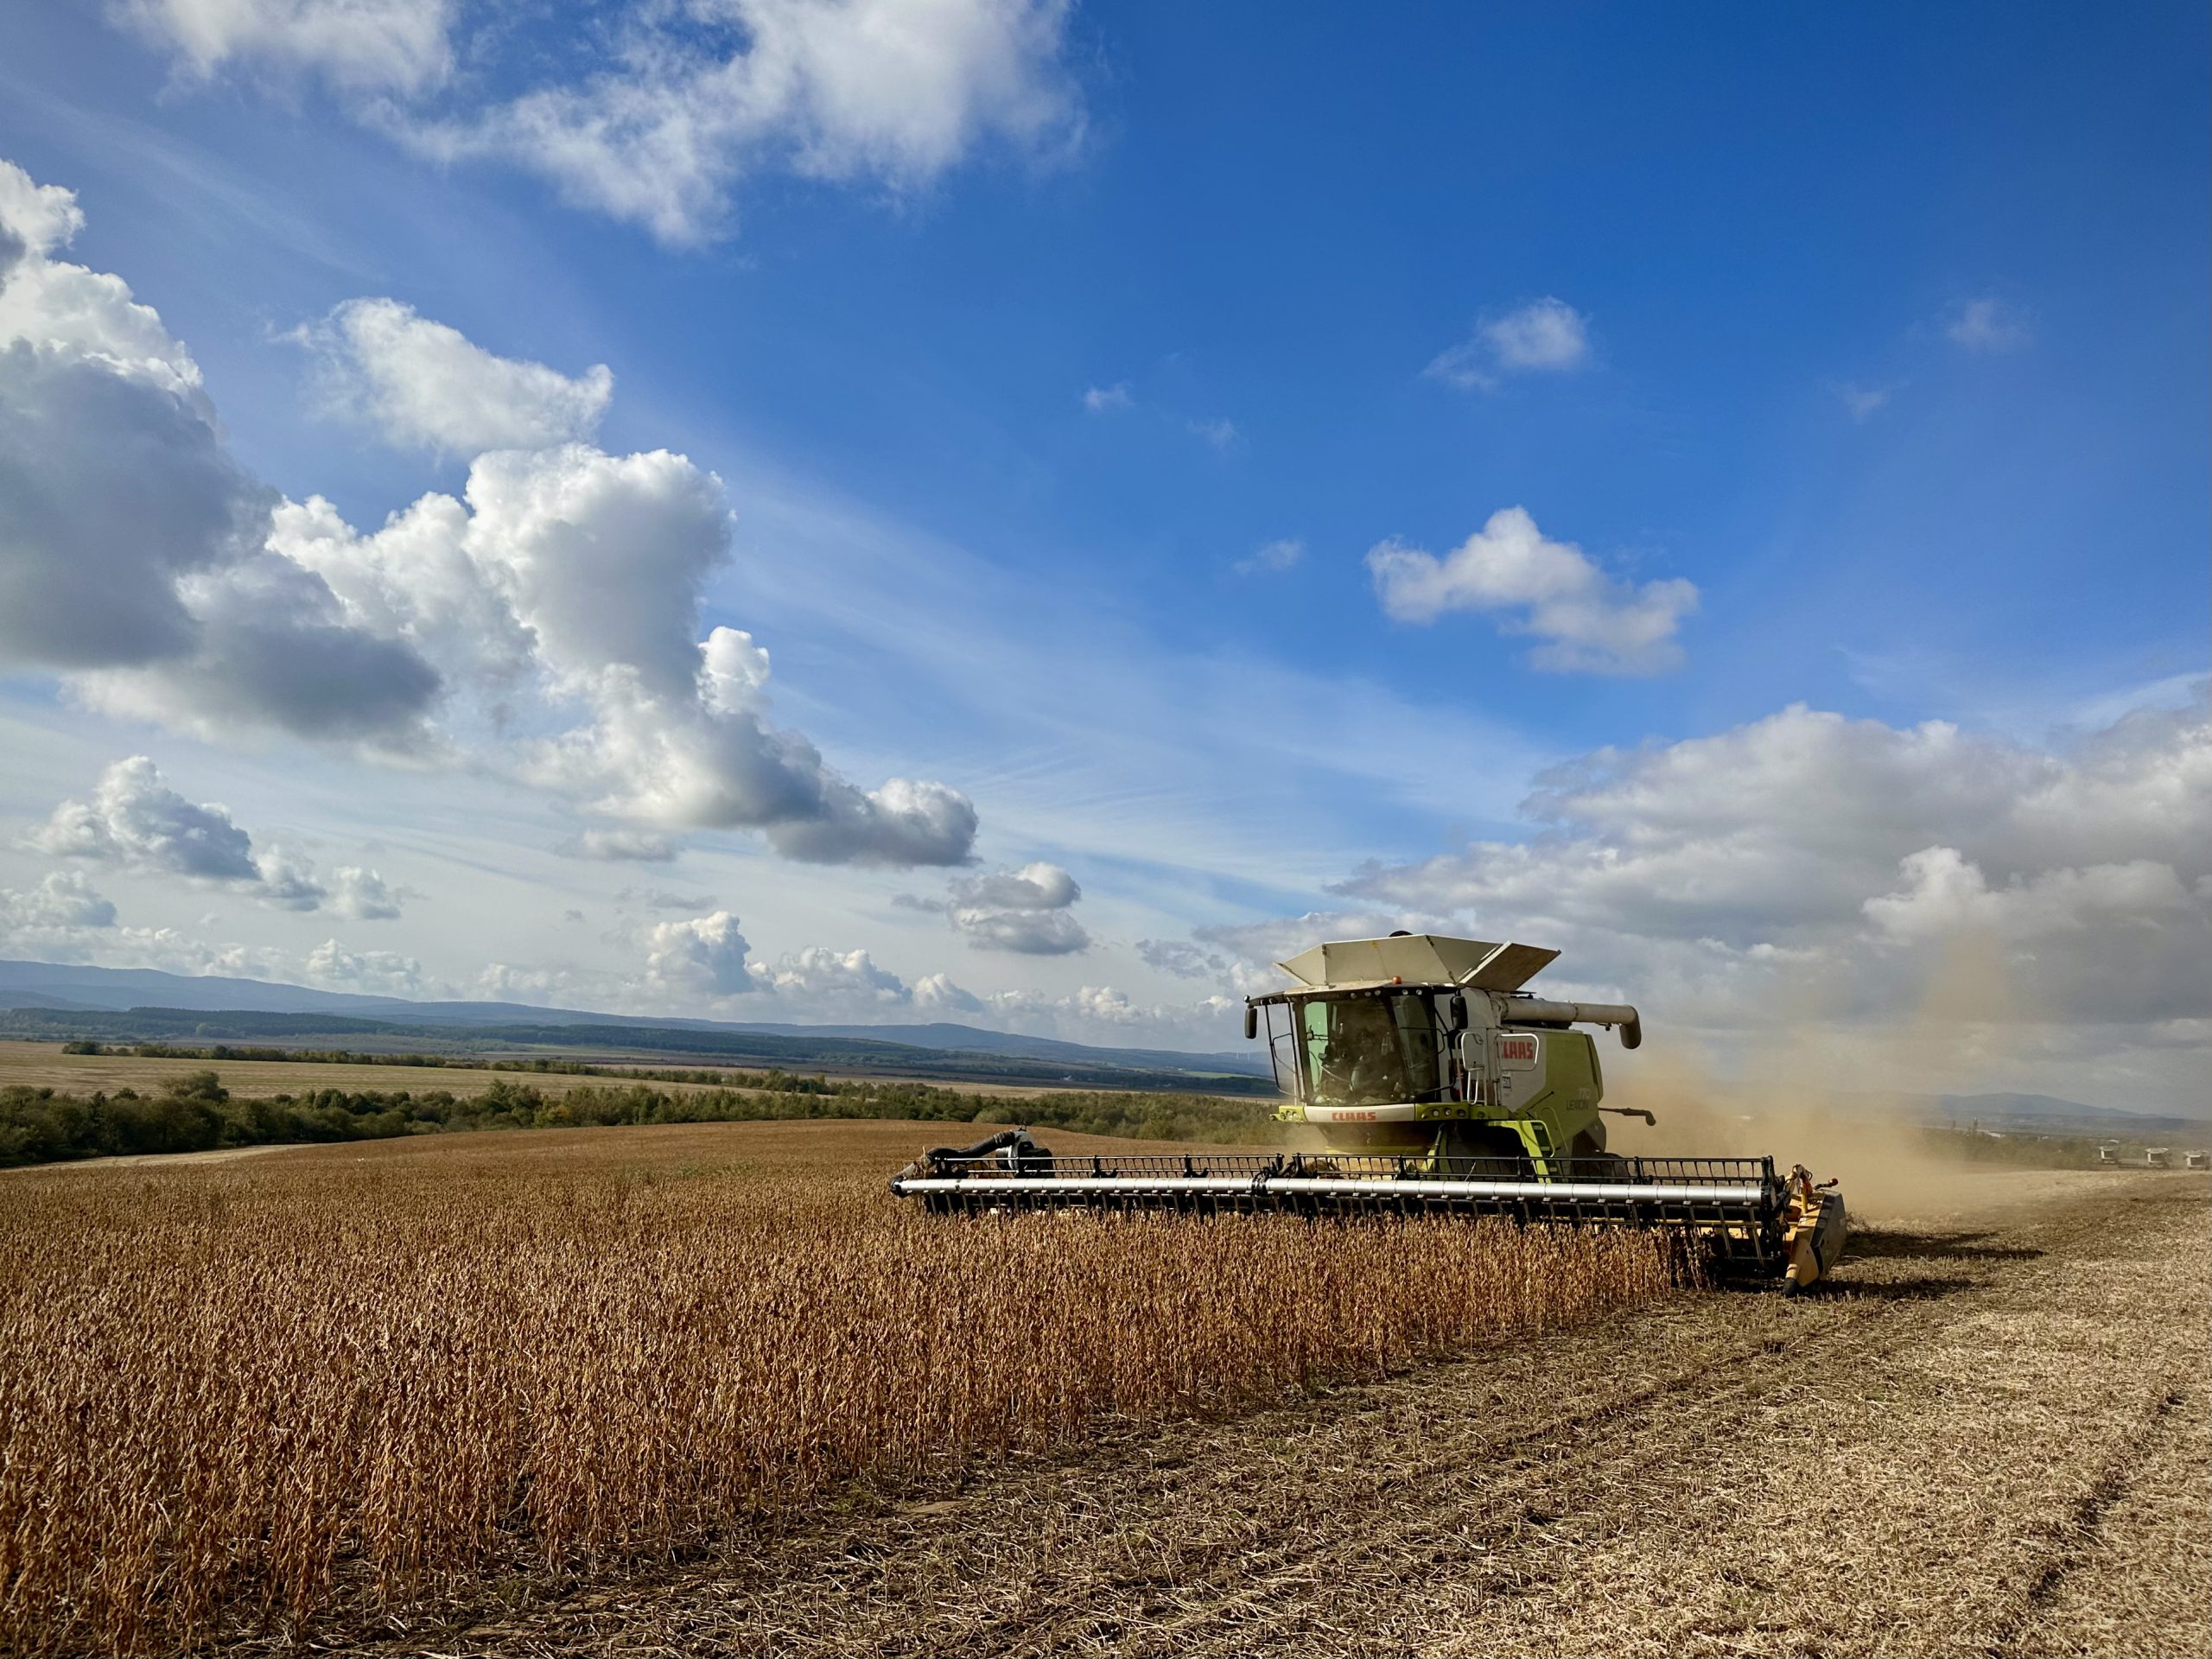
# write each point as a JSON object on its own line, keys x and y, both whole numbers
{"x": 1439, "y": 1087}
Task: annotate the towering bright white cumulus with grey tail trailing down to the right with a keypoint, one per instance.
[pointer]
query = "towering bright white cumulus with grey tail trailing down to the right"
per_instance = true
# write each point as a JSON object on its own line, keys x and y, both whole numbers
{"x": 589, "y": 572}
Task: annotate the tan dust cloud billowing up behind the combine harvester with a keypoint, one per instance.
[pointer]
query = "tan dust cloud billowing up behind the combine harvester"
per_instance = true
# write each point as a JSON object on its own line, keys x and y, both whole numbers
{"x": 1841, "y": 1096}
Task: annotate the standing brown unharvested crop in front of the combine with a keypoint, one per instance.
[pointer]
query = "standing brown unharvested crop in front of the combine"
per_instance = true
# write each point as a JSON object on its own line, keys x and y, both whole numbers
{"x": 233, "y": 1397}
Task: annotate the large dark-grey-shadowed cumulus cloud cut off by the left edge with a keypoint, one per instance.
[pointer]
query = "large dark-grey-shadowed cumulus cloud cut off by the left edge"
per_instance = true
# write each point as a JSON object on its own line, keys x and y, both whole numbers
{"x": 132, "y": 543}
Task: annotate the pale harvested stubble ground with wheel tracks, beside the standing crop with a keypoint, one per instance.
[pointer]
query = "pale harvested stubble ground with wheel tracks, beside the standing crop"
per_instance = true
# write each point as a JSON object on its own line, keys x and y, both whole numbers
{"x": 1990, "y": 1441}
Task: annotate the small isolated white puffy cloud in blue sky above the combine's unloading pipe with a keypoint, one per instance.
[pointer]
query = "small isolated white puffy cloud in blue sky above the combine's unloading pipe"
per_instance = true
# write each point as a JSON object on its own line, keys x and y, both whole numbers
{"x": 1585, "y": 618}
